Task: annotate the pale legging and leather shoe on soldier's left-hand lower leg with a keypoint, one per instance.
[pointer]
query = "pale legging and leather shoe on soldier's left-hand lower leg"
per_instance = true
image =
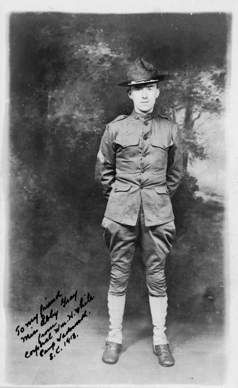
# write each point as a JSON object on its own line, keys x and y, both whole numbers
{"x": 116, "y": 306}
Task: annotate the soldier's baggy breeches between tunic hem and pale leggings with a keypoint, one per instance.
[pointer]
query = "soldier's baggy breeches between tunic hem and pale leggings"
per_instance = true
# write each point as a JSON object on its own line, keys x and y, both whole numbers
{"x": 155, "y": 243}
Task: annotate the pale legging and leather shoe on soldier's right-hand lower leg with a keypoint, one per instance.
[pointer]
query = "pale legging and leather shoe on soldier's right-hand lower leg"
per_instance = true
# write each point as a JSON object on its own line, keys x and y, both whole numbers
{"x": 158, "y": 308}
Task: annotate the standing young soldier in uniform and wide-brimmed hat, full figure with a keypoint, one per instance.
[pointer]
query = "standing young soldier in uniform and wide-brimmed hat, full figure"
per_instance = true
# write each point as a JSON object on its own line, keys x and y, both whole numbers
{"x": 139, "y": 167}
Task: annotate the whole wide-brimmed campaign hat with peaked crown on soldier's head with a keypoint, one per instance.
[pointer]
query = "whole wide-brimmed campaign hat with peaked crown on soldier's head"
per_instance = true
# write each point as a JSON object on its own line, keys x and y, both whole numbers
{"x": 142, "y": 72}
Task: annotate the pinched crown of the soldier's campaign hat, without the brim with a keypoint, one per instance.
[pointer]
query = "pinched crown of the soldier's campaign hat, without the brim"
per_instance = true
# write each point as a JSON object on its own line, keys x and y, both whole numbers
{"x": 141, "y": 70}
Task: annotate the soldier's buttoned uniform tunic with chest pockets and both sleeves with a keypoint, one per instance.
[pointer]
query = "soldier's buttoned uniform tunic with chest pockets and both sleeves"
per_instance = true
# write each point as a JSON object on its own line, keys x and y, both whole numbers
{"x": 140, "y": 159}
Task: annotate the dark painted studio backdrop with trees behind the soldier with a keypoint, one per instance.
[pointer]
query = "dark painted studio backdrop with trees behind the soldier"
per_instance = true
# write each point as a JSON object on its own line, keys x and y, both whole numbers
{"x": 63, "y": 72}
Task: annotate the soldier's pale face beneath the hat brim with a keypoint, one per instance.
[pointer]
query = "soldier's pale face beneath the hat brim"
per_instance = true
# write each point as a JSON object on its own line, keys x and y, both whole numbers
{"x": 144, "y": 97}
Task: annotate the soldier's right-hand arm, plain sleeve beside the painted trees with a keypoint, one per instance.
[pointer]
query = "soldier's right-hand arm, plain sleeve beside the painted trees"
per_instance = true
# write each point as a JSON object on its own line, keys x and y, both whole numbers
{"x": 175, "y": 162}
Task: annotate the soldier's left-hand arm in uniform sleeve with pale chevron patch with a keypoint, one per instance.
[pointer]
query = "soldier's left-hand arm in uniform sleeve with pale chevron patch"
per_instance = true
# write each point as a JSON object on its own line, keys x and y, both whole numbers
{"x": 106, "y": 167}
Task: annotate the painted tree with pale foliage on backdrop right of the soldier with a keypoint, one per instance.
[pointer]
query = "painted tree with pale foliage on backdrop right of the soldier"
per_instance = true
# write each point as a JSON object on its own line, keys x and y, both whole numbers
{"x": 187, "y": 98}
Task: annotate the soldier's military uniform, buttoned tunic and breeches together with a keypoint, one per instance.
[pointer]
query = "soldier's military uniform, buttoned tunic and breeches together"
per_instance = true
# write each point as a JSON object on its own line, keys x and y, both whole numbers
{"x": 140, "y": 169}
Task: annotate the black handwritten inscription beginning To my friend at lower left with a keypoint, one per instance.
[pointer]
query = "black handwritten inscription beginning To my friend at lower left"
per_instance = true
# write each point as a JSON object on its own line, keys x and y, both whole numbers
{"x": 49, "y": 335}
